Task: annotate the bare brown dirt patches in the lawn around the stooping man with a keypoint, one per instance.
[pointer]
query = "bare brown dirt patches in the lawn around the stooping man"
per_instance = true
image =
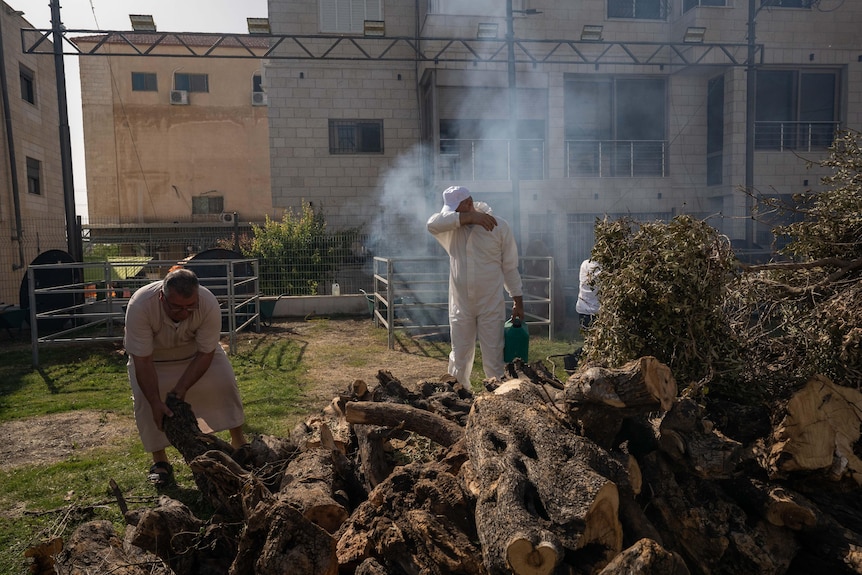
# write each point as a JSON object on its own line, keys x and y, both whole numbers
{"x": 45, "y": 439}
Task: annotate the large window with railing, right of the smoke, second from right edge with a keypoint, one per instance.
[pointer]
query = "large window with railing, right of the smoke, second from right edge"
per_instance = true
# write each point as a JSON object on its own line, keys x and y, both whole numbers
{"x": 615, "y": 126}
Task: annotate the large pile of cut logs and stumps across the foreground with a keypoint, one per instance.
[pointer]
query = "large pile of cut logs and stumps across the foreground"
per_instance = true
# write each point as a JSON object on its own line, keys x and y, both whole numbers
{"x": 609, "y": 472}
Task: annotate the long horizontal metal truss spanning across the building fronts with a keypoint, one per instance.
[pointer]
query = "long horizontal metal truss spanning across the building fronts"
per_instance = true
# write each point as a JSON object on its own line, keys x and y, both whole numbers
{"x": 389, "y": 48}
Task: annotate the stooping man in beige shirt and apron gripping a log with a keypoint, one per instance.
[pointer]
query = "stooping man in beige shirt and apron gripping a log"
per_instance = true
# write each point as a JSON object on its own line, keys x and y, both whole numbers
{"x": 173, "y": 328}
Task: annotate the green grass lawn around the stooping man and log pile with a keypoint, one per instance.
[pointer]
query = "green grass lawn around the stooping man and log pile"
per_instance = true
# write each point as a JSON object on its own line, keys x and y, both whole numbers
{"x": 41, "y": 501}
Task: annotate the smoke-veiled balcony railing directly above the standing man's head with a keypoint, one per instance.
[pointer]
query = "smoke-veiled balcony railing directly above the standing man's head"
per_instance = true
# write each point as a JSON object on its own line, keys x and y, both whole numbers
{"x": 469, "y": 160}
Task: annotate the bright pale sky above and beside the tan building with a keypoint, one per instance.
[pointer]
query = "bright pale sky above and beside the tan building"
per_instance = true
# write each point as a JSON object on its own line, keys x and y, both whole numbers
{"x": 227, "y": 16}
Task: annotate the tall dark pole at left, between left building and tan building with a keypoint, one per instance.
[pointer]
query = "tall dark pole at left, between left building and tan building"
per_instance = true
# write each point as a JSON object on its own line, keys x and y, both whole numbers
{"x": 73, "y": 232}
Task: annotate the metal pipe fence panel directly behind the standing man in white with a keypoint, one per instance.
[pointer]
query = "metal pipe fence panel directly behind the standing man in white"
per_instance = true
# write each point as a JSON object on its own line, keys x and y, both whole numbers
{"x": 412, "y": 295}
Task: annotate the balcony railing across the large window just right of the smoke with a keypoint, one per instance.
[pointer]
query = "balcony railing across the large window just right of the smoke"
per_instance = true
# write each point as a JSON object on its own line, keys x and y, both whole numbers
{"x": 616, "y": 158}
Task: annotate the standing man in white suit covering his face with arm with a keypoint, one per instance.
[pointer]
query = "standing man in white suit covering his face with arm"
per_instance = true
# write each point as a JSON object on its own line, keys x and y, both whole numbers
{"x": 483, "y": 259}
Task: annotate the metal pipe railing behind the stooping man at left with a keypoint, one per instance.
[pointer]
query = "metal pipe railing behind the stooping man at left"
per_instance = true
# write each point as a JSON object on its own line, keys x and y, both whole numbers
{"x": 85, "y": 302}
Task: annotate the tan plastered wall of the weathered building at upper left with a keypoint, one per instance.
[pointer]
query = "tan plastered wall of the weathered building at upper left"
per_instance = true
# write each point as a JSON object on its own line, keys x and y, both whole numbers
{"x": 146, "y": 158}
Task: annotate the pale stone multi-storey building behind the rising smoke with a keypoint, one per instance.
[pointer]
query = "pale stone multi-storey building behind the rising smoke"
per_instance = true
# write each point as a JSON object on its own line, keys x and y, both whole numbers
{"x": 634, "y": 120}
